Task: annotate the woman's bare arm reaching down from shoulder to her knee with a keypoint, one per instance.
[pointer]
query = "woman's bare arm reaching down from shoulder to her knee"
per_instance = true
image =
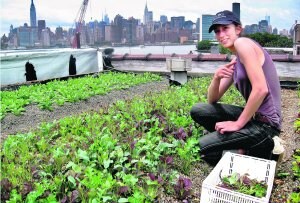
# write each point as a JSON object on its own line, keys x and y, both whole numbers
{"x": 252, "y": 57}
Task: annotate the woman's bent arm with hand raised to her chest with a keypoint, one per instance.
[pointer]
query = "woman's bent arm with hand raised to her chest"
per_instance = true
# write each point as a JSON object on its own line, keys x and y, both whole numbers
{"x": 221, "y": 82}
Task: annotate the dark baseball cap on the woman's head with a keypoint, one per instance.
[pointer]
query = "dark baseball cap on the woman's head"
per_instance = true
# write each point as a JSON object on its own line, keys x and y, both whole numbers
{"x": 224, "y": 18}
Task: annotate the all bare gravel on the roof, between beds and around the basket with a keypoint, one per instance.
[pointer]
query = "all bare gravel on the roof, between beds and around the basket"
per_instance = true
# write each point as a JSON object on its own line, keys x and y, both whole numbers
{"x": 33, "y": 116}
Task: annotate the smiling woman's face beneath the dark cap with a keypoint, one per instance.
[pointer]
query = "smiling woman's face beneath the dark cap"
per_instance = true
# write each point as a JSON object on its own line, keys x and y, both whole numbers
{"x": 227, "y": 34}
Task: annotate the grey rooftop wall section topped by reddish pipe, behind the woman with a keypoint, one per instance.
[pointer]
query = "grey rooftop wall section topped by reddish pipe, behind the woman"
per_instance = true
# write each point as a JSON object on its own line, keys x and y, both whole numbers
{"x": 288, "y": 66}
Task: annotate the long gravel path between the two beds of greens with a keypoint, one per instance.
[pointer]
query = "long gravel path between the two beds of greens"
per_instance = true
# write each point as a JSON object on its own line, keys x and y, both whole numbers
{"x": 33, "y": 116}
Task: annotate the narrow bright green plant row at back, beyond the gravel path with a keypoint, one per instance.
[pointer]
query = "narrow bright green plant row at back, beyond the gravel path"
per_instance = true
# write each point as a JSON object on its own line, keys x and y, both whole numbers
{"x": 58, "y": 92}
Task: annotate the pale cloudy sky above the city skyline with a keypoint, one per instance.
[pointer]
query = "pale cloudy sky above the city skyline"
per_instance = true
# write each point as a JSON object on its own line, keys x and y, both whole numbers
{"x": 62, "y": 13}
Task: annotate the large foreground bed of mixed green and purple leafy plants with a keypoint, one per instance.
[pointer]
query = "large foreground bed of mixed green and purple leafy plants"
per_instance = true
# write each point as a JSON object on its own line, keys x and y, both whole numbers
{"x": 128, "y": 152}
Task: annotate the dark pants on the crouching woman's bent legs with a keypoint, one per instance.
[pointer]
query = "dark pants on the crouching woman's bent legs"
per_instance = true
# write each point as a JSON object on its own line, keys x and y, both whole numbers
{"x": 255, "y": 137}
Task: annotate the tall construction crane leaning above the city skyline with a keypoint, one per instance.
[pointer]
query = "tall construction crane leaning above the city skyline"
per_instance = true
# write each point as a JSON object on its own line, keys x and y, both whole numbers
{"x": 78, "y": 24}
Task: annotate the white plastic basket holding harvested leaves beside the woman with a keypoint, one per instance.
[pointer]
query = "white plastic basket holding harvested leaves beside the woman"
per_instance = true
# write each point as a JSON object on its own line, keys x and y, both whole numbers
{"x": 259, "y": 169}
